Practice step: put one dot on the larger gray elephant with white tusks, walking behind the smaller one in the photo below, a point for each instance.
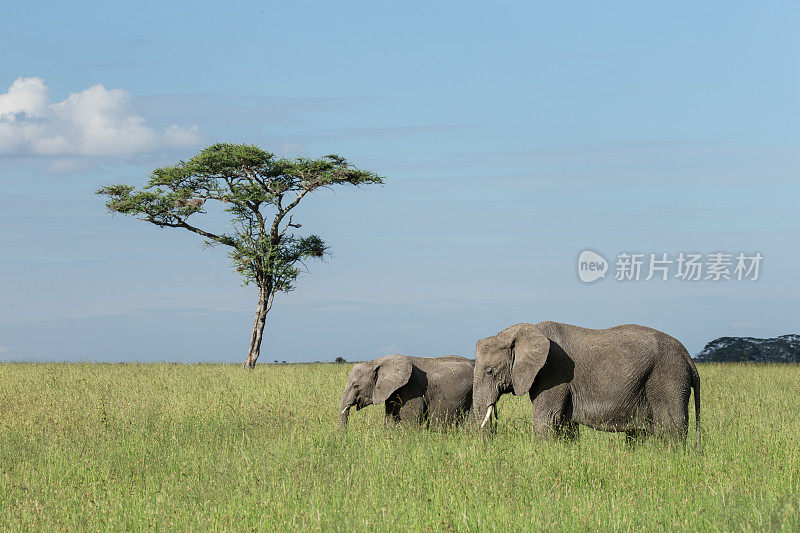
(627, 378)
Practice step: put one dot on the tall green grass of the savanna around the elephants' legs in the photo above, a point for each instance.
(135, 446)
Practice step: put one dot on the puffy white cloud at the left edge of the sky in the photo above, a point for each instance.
(93, 122)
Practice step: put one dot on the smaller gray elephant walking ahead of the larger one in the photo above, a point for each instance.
(418, 389)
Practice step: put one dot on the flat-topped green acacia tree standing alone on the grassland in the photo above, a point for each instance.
(257, 190)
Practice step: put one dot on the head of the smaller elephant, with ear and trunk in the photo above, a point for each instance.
(373, 382)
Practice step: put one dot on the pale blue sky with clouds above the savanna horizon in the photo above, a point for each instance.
(512, 135)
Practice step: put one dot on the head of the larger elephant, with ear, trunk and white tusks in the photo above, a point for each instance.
(506, 362)
